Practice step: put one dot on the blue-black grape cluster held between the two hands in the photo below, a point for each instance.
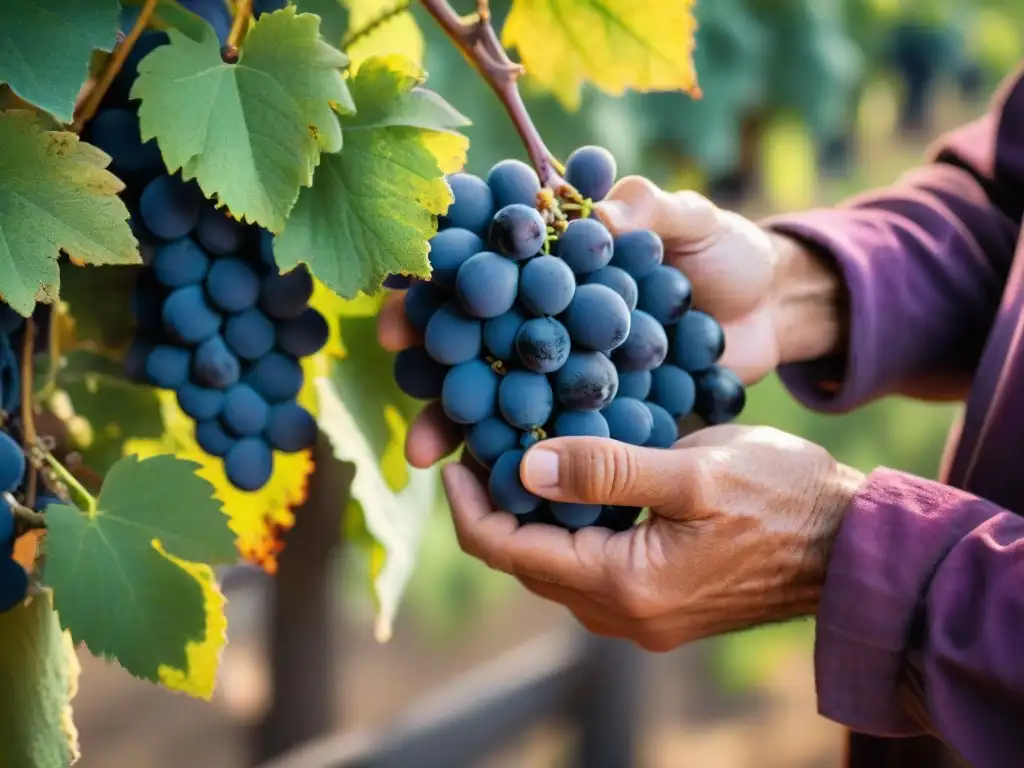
(536, 326)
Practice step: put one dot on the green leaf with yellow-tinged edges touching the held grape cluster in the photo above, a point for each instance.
(373, 207)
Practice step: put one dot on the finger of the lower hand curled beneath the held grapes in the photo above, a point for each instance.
(541, 553)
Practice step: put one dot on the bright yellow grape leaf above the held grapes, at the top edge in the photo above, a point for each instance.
(646, 46)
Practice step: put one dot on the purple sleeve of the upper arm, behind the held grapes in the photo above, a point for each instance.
(925, 263)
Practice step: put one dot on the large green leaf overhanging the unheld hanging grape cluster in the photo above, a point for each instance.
(250, 134)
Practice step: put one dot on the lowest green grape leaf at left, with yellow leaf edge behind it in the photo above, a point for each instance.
(150, 516)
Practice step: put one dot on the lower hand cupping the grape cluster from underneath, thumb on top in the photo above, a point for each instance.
(741, 529)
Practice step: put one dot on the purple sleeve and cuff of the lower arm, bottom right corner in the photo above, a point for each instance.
(922, 619)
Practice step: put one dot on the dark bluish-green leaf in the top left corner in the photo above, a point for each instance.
(46, 48)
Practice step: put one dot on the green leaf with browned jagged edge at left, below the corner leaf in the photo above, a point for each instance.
(56, 195)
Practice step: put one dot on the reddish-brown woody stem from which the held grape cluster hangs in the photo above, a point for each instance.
(475, 36)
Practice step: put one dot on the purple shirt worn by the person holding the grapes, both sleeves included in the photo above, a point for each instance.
(921, 628)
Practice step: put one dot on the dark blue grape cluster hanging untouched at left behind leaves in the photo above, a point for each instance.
(218, 322)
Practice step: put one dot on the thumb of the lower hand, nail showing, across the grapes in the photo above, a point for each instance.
(599, 471)
